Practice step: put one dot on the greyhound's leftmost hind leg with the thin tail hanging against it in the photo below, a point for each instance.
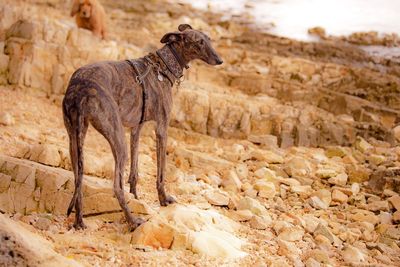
(76, 126)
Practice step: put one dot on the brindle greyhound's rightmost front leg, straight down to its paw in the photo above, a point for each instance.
(161, 136)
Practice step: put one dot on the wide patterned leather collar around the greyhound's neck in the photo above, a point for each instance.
(172, 60)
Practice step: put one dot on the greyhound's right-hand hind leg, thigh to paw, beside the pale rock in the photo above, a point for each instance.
(106, 120)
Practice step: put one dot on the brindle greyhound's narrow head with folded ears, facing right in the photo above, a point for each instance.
(193, 44)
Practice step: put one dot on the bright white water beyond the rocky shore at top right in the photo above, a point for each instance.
(292, 18)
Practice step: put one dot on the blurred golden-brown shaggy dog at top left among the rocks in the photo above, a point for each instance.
(90, 15)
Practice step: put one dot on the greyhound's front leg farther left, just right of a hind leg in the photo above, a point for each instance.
(133, 176)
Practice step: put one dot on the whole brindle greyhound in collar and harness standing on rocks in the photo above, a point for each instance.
(111, 95)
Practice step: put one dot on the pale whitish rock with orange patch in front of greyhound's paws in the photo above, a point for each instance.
(204, 232)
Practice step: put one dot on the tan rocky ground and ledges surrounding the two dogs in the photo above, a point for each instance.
(287, 154)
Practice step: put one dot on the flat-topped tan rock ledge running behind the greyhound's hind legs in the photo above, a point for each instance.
(27, 187)
